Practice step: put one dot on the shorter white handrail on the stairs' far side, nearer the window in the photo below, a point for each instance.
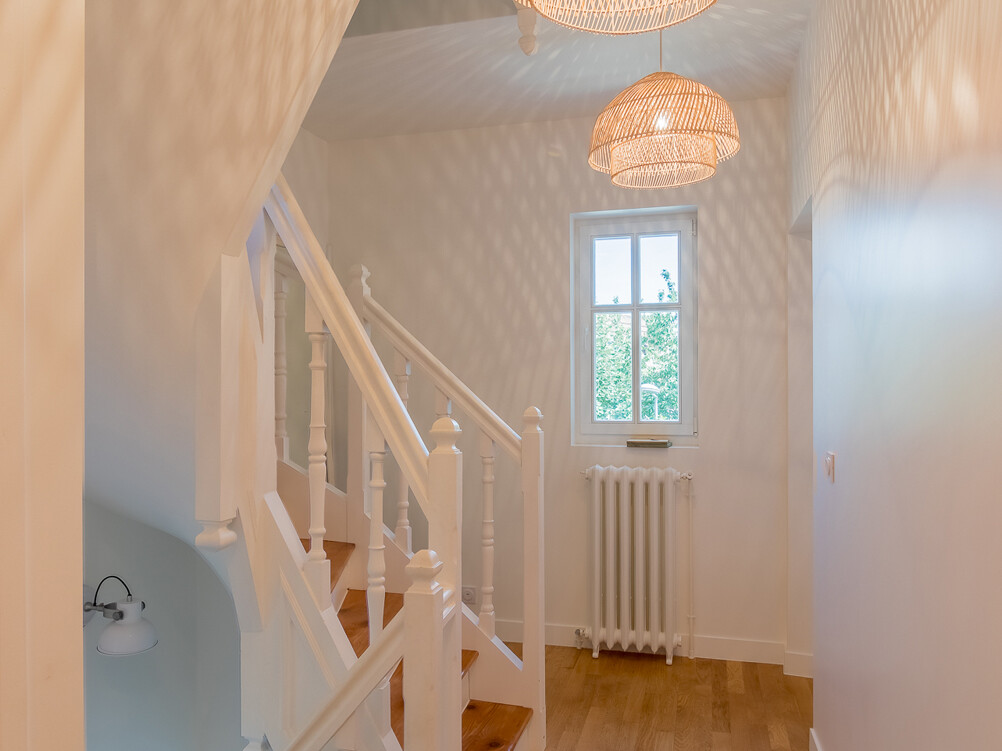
(445, 380)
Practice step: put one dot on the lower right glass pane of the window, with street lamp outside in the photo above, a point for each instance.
(660, 367)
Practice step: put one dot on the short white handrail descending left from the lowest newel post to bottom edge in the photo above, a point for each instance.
(365, 677)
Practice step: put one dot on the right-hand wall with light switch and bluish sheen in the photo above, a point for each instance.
(895, 132)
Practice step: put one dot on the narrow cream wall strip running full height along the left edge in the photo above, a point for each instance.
(42, 372)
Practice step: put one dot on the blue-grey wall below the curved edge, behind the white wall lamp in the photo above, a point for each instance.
(185, 693)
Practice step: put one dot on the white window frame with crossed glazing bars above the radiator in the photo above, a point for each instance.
(586, 229)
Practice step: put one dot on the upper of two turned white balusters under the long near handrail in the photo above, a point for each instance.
(318, 567)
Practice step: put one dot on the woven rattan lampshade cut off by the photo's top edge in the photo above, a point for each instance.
(618, 17)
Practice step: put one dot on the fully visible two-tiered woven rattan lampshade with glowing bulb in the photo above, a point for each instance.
(664, 132)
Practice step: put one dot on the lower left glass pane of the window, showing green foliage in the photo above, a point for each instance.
(614, 348)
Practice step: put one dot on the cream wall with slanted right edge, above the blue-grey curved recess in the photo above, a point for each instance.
(192, 109)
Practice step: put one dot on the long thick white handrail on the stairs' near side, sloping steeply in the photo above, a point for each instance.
(363, 362)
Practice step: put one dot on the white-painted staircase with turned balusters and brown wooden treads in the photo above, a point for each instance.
(351, 639)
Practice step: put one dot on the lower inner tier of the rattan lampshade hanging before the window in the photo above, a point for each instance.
(663, 161)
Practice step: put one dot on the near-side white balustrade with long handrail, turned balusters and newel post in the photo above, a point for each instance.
(435, 480)
